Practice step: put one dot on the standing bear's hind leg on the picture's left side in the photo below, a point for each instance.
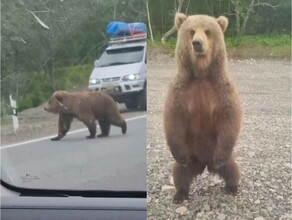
(183, 176)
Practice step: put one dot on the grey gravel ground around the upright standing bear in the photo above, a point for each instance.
(263, 150)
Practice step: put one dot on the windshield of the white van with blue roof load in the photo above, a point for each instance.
(121, 56)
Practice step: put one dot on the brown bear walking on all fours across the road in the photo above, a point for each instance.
(86, 107)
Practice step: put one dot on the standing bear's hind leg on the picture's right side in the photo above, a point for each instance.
(230, 172)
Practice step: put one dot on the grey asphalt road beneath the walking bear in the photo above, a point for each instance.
(117, 162)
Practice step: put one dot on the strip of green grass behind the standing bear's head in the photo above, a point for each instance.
(256, 47)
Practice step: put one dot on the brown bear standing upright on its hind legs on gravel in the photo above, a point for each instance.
(202, 115)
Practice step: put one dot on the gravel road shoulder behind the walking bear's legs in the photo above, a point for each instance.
(36, 123)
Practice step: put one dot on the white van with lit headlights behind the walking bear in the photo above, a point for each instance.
(121, 71)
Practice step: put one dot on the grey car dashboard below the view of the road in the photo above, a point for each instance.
(28, 204)
